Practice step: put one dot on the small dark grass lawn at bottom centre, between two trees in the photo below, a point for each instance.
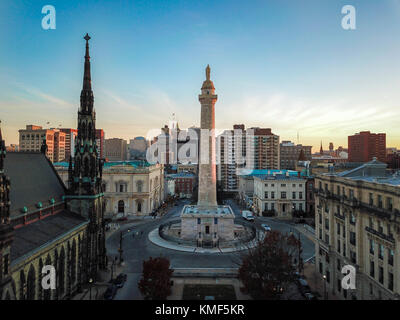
(200, 291)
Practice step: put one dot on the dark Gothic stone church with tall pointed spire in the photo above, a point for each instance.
(43, 222)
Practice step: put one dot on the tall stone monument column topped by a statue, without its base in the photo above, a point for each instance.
(207, 168)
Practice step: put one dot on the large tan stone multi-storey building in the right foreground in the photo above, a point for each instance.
(357, 220)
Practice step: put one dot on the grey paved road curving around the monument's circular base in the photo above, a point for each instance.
(137, 248)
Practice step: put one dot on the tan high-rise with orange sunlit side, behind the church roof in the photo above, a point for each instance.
(31, 138)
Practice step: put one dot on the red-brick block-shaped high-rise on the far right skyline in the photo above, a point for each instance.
(364, 146)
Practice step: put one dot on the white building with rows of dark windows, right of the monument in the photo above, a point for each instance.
(279, 193)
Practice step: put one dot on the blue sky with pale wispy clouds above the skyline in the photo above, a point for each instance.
(281, 64)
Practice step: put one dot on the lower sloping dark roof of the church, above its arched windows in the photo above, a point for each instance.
(41, 233)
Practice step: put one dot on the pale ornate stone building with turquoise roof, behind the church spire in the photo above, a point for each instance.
(131, 187)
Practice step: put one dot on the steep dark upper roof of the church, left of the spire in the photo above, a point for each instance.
(33, 180)
